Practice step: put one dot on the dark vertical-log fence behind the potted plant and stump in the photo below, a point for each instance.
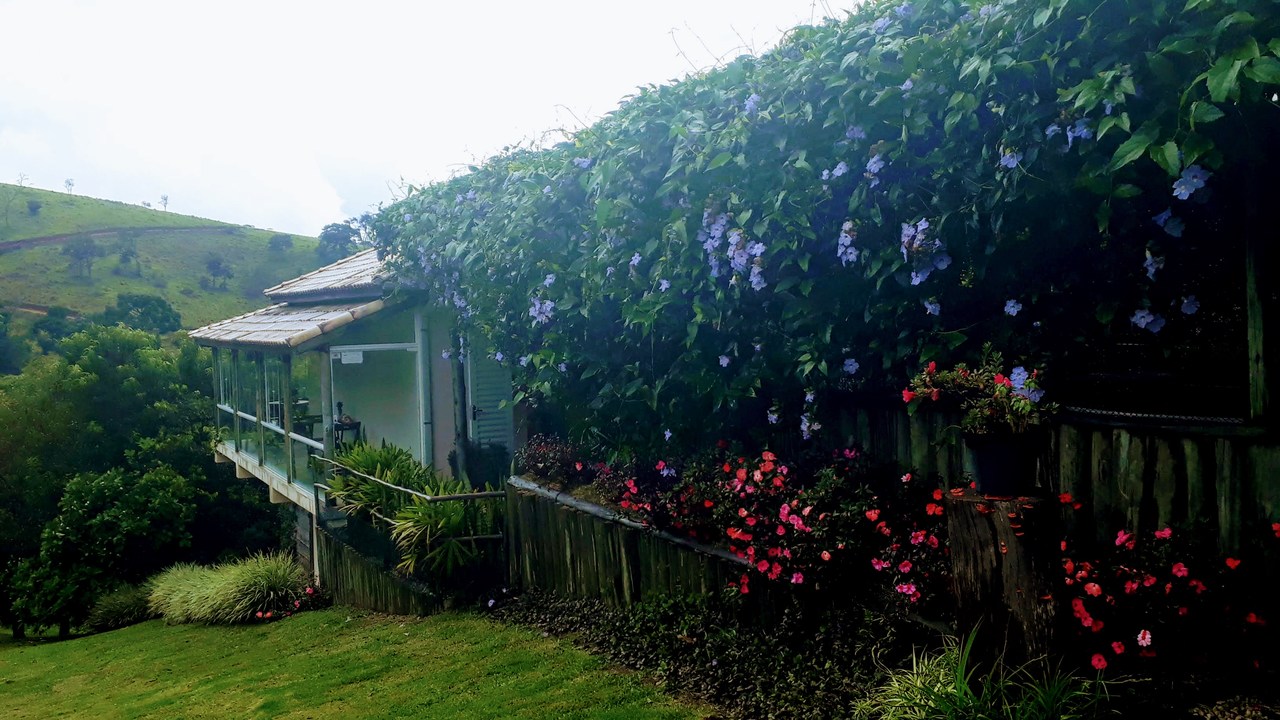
(1135, 475)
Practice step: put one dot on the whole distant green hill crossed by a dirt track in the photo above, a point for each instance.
(81, 253)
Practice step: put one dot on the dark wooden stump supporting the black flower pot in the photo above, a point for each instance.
(1005, 563)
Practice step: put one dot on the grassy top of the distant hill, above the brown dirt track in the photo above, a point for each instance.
(62, 213)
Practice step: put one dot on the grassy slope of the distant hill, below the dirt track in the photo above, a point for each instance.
(172, 267)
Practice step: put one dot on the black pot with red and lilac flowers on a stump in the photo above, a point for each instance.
(1000, 414)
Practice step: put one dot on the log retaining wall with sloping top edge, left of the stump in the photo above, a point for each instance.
(577, 549)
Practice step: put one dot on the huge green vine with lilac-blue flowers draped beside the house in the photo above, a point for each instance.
(880, 192)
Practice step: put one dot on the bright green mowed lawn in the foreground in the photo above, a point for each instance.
(328, 664)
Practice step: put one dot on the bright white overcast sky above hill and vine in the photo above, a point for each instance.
(292, 115)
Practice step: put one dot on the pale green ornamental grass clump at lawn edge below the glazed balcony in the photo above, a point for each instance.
(263, 587)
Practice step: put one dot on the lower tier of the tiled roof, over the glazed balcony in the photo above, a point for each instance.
(285, 326)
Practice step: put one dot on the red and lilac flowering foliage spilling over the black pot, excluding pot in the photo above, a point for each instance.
(990, 400)
